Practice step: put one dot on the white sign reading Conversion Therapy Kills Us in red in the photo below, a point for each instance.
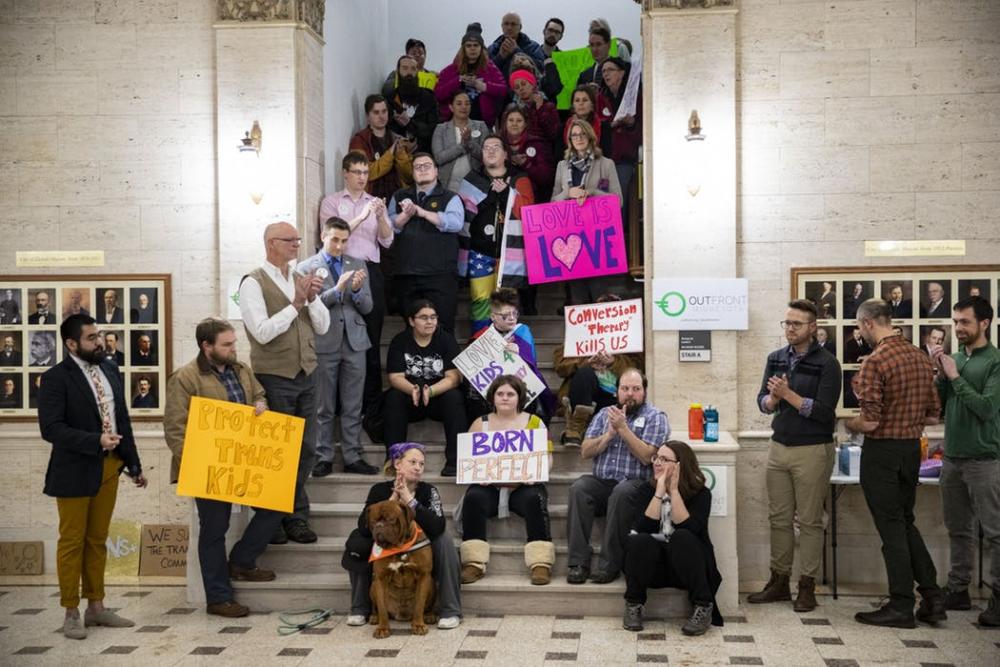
(615, 328)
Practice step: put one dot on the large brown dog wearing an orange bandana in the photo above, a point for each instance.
(402, 585)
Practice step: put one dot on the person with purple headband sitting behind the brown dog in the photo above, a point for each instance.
(406, 468)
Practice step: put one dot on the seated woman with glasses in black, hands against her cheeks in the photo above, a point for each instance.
(669, 545)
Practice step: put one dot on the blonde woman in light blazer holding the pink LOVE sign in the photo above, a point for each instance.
(584, 172)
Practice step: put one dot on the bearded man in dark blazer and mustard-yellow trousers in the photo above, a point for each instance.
(82, 411)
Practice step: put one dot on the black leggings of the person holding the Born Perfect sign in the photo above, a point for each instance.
(528, 501)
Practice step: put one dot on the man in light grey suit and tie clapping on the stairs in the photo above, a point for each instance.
(341, 350)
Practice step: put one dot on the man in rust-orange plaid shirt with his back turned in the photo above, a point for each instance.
(898, 399)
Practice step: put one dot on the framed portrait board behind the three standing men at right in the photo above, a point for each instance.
(921, 299)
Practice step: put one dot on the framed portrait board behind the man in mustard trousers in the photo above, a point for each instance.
(133, 317)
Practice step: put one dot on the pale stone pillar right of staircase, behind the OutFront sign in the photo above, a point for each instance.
(690, 64)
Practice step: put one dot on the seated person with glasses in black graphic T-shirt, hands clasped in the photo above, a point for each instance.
(423, 381)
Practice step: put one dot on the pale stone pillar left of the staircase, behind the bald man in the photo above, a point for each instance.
(269, 69)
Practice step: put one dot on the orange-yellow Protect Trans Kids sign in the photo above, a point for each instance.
(233, 456)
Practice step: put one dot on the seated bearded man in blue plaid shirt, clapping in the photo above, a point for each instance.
(622, 439)
